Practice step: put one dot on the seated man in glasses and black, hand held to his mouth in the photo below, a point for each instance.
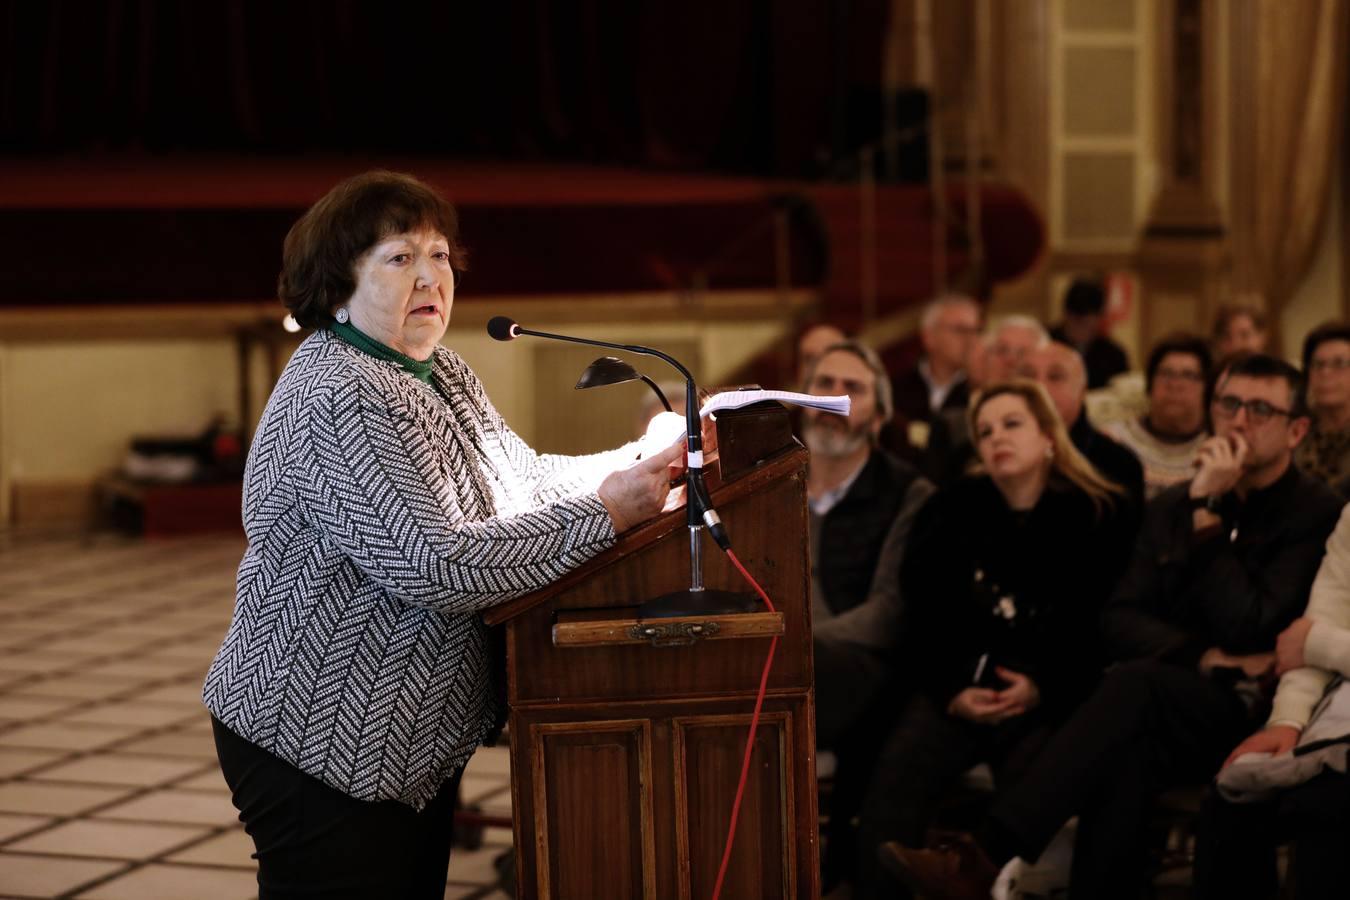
(1222, 566)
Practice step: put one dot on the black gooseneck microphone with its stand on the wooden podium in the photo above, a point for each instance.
(699, 504)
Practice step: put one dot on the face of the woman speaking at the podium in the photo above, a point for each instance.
(404, 292)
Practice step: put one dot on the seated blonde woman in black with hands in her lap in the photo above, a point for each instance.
(1004, 582)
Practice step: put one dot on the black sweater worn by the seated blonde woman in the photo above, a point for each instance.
(1025, 589)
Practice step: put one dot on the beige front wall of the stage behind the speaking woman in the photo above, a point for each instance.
(70, 410)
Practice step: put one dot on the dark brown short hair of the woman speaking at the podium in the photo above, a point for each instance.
(319, 258)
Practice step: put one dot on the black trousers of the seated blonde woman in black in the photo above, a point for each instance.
(921, 762)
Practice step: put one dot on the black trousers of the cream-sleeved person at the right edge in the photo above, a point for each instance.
(1236, 847)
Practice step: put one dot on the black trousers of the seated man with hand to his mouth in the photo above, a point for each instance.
(1148, 727)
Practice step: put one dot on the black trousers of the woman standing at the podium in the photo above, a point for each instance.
(314, 841)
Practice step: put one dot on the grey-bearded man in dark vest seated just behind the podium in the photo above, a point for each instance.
(862, 503)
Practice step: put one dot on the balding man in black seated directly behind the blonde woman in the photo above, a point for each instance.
(1059, 370)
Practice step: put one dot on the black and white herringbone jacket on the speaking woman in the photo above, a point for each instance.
(381, 519)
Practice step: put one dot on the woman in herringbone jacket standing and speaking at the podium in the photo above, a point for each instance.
(387, 504)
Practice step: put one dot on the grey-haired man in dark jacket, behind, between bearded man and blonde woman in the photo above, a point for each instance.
(938, 381)
